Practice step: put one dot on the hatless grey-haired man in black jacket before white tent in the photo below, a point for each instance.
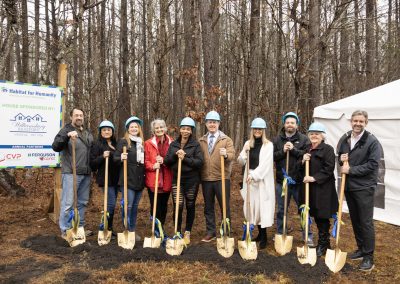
(362, 151)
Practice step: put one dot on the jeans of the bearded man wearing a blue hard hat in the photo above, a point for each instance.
(293, 191)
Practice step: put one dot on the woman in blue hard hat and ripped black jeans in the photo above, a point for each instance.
(187, 149)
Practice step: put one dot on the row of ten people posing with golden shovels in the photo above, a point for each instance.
(358, 152)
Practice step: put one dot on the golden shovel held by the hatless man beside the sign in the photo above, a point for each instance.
(75, 235)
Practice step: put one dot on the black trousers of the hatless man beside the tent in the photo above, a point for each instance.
(361, 209)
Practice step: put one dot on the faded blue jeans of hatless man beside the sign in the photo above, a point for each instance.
(67, 199)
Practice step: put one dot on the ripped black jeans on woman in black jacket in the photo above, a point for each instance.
(188, 194)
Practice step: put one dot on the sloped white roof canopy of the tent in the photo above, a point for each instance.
(382, 102)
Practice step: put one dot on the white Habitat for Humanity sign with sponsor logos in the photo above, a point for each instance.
(30, 118)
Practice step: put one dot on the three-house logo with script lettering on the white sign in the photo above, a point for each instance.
(28, 123)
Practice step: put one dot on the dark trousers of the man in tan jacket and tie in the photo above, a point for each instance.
(212, 189)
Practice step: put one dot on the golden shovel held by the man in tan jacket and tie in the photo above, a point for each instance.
(225, 244)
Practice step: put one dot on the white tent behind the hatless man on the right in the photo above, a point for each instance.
(383, 107)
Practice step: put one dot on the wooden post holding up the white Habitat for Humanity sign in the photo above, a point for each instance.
(54, 206)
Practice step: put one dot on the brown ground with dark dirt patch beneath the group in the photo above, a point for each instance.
(32, 250)
